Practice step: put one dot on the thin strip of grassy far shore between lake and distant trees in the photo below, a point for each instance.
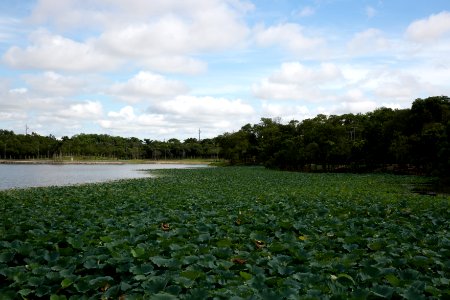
(105, 162)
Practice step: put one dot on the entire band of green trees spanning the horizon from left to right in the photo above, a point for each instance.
(413, 140)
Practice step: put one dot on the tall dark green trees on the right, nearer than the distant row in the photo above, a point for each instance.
(415, 140)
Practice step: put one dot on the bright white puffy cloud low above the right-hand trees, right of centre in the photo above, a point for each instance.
(295, 81)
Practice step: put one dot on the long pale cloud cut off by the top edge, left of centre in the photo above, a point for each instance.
(69, 14)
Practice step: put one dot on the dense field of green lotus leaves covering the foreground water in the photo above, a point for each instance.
(220, 233)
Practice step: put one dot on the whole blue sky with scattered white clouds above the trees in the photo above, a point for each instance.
(164, 69)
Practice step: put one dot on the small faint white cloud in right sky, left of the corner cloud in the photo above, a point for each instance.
(369, 41)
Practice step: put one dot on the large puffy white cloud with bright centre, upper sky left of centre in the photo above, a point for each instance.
(172, 35)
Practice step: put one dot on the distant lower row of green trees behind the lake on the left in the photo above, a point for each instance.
(35, 146)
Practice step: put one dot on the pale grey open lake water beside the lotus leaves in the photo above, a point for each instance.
(34, 175)
